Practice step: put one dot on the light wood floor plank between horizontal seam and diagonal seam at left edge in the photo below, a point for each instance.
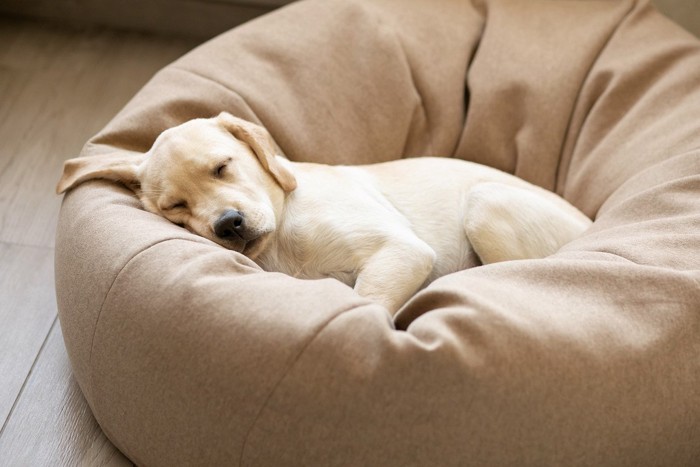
(27, 310)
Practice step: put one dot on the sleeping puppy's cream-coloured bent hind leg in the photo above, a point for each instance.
(503, 222)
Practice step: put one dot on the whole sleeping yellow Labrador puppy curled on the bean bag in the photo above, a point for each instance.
(386, 229)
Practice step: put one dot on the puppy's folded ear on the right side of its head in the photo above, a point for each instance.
(261, 143)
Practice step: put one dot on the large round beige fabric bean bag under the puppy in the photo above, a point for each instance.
(189, 354)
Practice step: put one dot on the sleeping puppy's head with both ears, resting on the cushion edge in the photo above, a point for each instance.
(218, 177)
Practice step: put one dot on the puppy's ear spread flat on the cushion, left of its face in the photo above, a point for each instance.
(120, 166)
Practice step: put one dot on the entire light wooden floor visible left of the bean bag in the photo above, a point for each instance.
(57, 88)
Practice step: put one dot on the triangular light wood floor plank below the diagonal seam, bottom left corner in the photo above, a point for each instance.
(52, 424)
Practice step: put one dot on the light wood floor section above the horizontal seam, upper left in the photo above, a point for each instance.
(59, 87)
